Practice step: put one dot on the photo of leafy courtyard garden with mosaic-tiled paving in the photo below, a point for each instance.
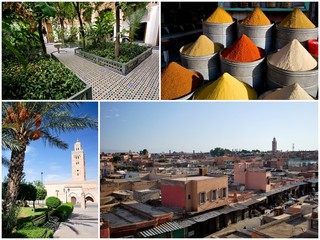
(80, 50)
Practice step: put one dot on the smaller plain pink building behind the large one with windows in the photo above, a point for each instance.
(252, 177)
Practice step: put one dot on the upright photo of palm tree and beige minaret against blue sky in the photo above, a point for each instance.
(50, 185)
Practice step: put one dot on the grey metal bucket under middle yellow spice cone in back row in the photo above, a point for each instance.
(262, 36)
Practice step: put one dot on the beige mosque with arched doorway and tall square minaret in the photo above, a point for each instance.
(78, 190)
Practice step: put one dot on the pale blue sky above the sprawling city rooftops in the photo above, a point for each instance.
(201, 126)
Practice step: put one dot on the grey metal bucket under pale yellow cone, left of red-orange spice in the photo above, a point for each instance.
(208, 66)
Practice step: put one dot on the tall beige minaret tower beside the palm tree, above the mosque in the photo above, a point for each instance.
(78, 163)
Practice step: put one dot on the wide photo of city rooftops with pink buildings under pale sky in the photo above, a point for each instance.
(209, 169)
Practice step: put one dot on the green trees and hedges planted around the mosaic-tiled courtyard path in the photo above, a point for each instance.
(30, 73)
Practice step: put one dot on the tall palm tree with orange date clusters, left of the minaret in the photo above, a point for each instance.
(23, 122)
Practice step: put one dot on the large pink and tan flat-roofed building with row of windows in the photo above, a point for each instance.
(195, 194)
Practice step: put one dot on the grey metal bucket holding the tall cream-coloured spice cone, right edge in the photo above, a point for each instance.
(277, 77)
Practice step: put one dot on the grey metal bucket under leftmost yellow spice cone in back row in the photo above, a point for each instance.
(224, 33)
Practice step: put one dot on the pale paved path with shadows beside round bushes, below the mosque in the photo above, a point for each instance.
(83, 223)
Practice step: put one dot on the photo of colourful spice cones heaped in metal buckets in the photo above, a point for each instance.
(239, 50)
